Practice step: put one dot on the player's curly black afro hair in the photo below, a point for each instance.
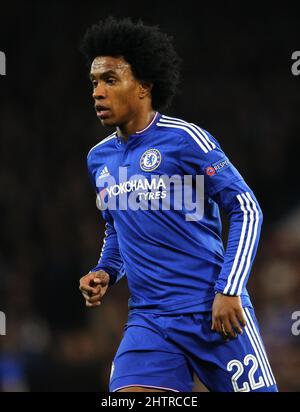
(149, 52)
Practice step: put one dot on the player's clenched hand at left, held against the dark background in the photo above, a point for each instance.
(93, 286)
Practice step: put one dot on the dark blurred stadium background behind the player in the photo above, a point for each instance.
(236, 82)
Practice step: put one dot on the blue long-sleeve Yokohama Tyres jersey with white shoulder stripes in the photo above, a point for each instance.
(173, 264)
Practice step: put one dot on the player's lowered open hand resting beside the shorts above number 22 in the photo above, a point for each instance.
(228, 316)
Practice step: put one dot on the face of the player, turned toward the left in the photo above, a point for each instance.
(115, 90)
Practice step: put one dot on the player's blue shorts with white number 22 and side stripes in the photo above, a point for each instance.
(163, 351)
